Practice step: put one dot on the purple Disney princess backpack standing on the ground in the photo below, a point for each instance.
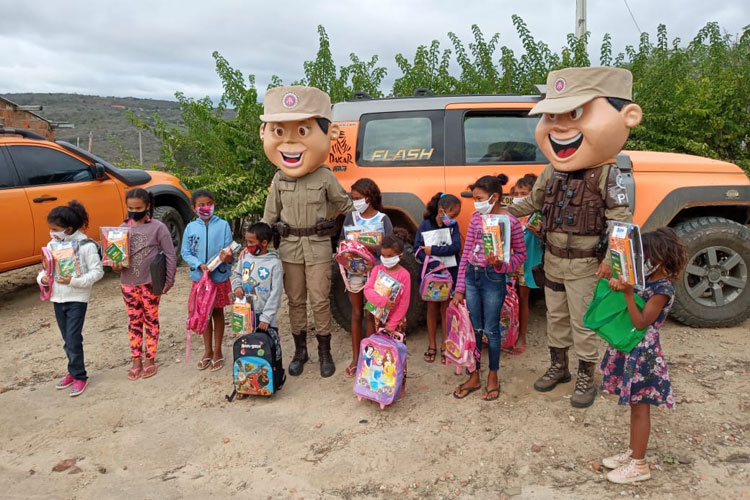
(381, 368)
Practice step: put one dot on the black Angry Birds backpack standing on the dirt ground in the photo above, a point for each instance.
(258, 368)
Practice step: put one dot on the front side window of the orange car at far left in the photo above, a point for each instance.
(38, 165)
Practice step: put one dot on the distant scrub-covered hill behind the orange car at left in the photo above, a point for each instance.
(108, 119)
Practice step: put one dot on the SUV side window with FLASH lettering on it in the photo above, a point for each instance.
(389, 139)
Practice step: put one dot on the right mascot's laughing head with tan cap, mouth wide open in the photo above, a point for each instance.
(587, 114)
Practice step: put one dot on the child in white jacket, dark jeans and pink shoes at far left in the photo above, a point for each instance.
(70, 295)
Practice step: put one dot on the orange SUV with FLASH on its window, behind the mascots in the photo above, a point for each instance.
(414, 147)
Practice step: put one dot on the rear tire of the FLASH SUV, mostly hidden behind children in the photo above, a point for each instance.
(341, 308)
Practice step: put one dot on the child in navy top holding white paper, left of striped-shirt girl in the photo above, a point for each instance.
(441, 213)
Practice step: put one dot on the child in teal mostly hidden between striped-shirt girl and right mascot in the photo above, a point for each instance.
(534, 253)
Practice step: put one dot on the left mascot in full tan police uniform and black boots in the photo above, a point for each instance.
(297, 134)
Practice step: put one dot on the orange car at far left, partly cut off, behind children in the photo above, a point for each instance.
(37, 174)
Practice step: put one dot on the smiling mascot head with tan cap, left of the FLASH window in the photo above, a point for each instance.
(296, 129)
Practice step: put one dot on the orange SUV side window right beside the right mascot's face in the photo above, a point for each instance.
(501, 138)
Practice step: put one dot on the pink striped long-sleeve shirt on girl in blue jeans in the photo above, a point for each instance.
(474, 249)
